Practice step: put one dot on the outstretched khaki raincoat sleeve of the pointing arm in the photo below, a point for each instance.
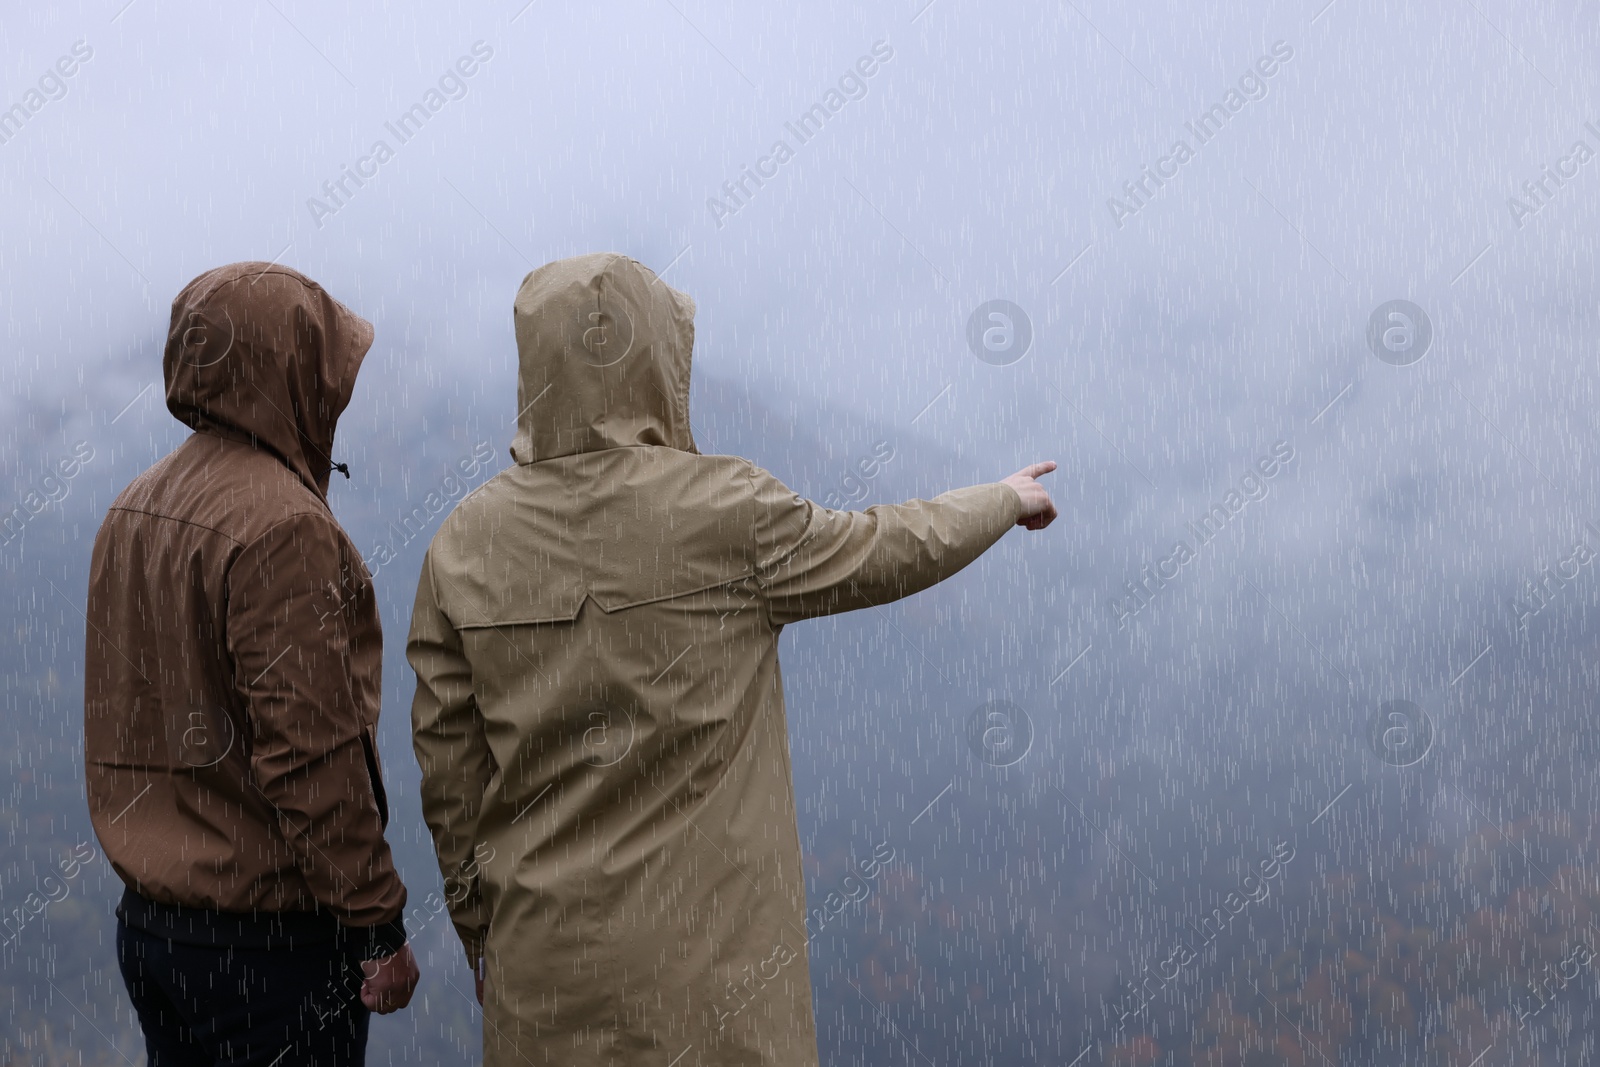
(814, 561)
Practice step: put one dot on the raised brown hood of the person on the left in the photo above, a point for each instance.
(262, 354)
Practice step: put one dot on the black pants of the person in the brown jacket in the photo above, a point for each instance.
(207, 1005)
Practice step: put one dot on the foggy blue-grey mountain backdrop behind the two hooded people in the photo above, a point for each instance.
(1302, 297)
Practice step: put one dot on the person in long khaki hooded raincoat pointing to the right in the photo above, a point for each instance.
(599, 711)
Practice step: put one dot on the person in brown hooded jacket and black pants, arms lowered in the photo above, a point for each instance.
(231, 700)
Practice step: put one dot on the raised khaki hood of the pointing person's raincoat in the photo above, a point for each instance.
(604, 359)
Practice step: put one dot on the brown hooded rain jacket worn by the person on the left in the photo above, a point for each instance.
(234, 649)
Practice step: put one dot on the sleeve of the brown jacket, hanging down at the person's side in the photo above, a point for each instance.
(289, 637)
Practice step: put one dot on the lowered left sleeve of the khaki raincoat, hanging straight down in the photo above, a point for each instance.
(454, 753)
